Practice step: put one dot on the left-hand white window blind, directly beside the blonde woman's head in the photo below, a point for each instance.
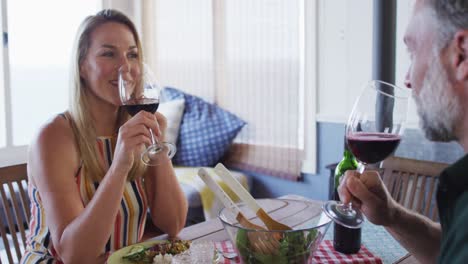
(184, 46)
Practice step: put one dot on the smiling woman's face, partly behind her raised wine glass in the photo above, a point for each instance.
(112, 46)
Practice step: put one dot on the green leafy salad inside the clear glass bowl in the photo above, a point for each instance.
(295, 247)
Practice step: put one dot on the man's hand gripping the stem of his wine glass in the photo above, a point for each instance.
(367, 192)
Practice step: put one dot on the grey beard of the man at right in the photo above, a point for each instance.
(438, 107)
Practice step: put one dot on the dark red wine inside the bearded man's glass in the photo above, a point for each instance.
(372, 147)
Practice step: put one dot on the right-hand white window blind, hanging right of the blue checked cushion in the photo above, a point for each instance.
(264, 86)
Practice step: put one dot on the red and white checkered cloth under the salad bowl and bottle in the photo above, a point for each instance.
(324, 254)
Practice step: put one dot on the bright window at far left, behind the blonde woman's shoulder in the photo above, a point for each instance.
(38, 37)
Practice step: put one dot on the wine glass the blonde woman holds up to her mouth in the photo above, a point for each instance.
(139, 91)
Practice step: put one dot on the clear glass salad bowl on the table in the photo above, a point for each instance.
(306, 218)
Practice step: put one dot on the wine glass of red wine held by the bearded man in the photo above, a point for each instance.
(373, 132)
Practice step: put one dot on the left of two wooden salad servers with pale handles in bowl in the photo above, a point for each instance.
(262, 241)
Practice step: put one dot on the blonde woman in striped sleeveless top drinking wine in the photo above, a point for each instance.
(89, 190)
